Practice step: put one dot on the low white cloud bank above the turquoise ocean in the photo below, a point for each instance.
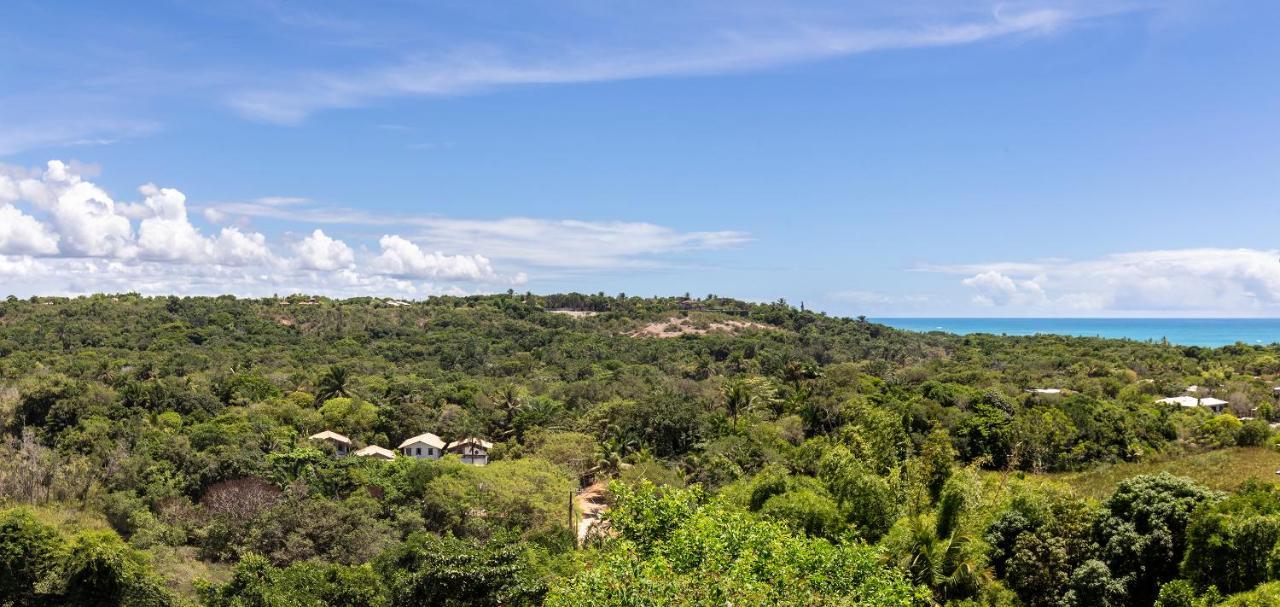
(1212, 281)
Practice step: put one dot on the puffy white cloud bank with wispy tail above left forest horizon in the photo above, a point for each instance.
(66, 230)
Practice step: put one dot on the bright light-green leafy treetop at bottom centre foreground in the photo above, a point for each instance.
(674, 551)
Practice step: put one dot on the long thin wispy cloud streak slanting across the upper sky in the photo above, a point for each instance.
(490, 65)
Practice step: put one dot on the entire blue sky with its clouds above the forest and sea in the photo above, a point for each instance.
(917, 158)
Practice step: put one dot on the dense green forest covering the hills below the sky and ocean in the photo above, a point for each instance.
(664, 451)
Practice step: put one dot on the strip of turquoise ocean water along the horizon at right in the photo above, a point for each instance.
(1183, 332)
